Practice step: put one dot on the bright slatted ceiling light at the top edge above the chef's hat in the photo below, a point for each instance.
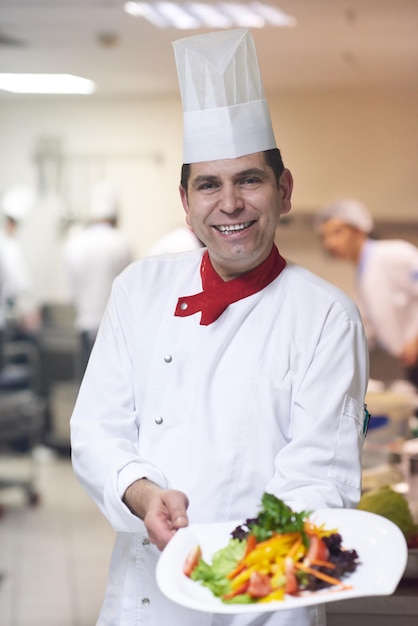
(194, 15)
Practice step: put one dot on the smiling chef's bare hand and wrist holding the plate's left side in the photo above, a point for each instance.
(163, 510)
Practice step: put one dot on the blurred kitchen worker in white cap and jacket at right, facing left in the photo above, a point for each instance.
(387, 279)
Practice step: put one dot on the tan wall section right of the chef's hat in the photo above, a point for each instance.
(363, 144)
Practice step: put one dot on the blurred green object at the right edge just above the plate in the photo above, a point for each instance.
(394, 506)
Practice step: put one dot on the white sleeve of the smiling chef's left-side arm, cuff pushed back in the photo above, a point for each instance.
(104, 430)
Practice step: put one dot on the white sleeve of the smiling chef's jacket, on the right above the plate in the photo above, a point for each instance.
(320, 467)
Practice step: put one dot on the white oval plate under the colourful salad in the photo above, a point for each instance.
(379, 543)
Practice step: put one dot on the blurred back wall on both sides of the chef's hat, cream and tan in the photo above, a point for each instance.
(363, 145)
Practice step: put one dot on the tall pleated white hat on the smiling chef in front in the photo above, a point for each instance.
(226, 113)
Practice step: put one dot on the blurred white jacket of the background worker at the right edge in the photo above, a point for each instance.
(388, 292)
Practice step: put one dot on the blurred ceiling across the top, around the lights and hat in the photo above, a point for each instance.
(343, 44)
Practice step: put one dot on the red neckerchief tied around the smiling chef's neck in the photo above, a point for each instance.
(217, 294)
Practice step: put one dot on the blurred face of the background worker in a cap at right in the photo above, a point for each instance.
(341, 240)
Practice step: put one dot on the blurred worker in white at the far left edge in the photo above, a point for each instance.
(19, 300)
